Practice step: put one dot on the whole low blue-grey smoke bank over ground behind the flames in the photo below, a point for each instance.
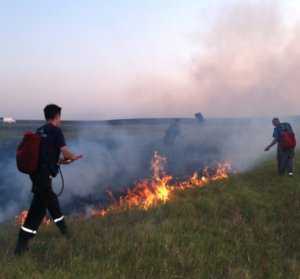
(116, 156)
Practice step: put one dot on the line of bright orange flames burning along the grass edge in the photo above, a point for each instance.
(159, 189)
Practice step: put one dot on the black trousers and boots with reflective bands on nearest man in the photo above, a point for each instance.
(43, 199)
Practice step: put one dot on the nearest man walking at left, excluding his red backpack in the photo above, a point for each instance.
(52, 145)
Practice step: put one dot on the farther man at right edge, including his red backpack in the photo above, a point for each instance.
(284, 137)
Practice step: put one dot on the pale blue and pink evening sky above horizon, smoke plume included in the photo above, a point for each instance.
(152, 58)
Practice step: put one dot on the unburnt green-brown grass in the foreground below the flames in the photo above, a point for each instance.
(245, 227)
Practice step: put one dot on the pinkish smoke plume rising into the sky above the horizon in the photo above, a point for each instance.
(247, 65)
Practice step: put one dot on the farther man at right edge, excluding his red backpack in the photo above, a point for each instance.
(285, 157)
